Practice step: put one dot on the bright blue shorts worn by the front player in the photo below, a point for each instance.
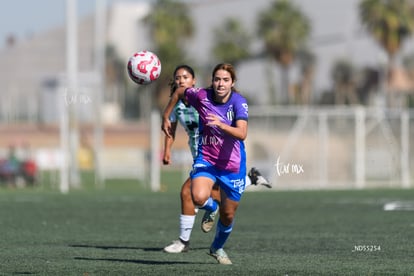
(233, 184)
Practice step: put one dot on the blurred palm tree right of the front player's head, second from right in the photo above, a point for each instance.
(284, 29)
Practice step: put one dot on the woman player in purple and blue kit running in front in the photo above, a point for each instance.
(221, 156)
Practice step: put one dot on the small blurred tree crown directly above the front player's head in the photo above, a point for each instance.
(232, 42)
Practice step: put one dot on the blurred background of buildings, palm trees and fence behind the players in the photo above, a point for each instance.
(330, 86)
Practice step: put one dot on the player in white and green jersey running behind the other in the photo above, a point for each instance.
(188, 117)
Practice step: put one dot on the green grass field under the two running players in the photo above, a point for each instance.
(122, 229)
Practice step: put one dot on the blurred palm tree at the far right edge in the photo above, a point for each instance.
(390, 22)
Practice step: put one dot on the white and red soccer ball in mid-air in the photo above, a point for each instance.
(144, 67)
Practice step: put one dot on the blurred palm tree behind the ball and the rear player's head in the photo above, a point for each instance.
(170, 25)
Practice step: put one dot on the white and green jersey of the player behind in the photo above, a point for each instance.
(187, 116)
